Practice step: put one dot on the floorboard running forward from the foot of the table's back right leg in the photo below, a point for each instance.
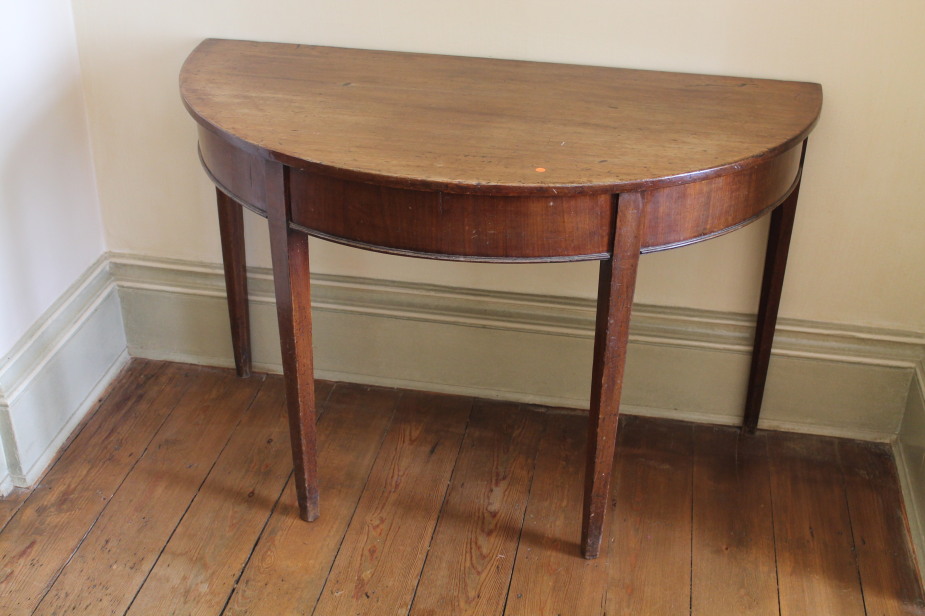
(733, 560)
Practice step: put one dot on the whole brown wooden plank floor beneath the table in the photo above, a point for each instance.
(175, 498)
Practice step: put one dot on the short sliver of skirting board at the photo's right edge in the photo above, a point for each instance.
(909, 452)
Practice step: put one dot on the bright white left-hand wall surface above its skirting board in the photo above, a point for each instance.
(50, 227)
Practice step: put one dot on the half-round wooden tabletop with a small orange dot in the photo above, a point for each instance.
(475, 125)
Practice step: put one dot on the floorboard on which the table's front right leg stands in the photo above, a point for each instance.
(550, 576)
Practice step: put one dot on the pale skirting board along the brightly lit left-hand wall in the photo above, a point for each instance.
(55, 373)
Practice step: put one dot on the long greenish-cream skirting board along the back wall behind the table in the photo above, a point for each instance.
(686, 364)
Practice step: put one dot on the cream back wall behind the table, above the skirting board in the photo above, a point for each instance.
(858, 256)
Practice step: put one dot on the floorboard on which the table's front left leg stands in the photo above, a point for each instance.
(290, 564)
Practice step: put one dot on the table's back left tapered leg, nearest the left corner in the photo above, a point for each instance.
(231, 230)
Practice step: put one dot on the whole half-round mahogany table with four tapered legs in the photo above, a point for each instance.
(474, 159)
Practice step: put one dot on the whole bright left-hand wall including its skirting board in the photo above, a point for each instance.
(61, 330)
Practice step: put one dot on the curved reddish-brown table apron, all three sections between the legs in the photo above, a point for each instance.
(475, 227)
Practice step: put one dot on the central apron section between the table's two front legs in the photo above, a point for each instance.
(450, 226)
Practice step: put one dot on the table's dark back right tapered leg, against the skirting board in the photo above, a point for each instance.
(775, 262)
